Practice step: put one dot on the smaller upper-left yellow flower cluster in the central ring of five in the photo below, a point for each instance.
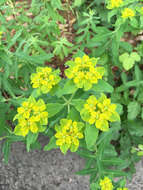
(44, 79)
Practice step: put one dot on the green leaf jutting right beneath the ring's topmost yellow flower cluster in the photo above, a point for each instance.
(102, 86)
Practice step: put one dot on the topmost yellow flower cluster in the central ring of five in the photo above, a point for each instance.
(84, 72)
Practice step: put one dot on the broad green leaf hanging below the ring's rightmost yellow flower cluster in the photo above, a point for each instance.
(91, 135)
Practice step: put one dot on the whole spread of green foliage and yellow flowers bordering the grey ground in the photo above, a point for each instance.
(72, 71)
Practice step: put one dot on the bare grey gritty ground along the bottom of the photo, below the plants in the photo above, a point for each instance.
(39, 170)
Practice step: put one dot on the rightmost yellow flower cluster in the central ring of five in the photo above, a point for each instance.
(99, 112)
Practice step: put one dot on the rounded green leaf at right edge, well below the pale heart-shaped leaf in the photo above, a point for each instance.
(133, 110)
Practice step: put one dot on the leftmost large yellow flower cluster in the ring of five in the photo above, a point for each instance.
(31, 116)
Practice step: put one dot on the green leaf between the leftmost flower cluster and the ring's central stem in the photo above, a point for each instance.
(53, 109)
